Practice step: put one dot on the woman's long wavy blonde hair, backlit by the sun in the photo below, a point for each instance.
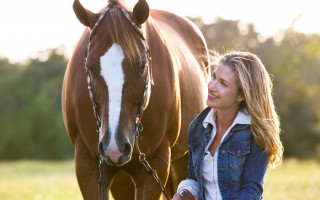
(256, 86)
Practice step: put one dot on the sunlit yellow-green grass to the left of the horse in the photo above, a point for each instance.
(38, 180)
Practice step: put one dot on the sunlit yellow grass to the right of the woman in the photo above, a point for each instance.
(294, 180)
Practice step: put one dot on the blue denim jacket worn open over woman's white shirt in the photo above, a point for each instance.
(242, 164)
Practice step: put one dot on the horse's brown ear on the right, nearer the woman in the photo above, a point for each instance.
(141, 12)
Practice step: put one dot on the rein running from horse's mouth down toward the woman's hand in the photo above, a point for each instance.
(144, 162)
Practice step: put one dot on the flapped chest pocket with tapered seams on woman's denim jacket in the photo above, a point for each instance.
(237, 154)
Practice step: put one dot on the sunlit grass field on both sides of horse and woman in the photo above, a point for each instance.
(39, 180)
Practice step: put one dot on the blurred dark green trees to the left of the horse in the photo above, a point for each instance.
(31, 119)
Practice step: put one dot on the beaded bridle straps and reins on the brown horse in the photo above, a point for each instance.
(138, 125)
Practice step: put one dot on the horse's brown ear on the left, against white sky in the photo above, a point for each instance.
(86, 17)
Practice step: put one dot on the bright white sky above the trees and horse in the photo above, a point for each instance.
(31, 26)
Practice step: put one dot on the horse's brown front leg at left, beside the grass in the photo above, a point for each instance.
(87, 170)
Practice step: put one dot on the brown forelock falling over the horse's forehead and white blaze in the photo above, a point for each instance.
(120, 31)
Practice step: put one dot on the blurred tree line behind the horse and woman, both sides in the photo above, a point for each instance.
(31, 123)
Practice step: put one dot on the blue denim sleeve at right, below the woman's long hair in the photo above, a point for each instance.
(254, 170)
